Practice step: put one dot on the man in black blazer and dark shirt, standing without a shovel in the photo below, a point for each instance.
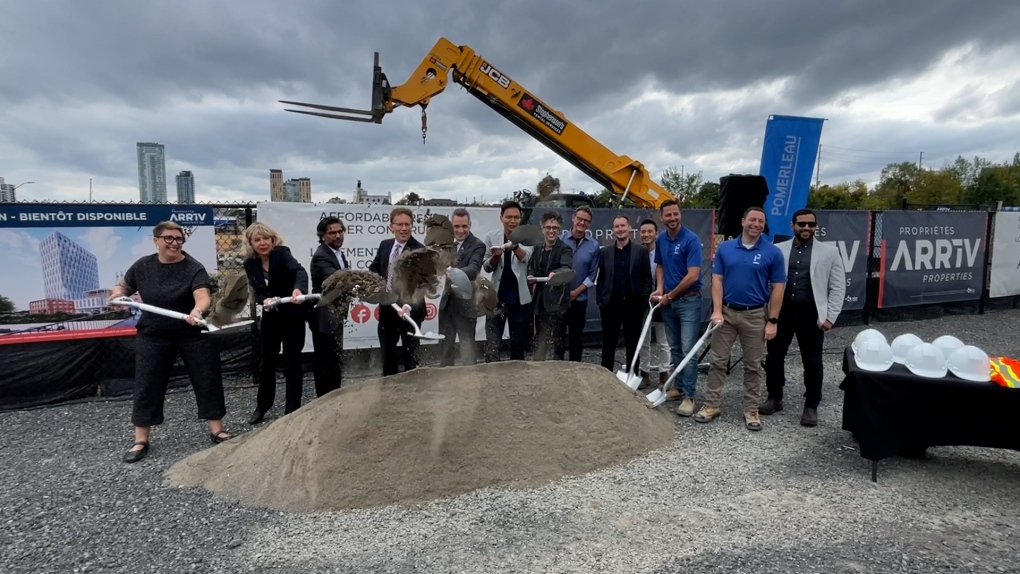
(624, 288)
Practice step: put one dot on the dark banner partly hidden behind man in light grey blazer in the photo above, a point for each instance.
(849, 231)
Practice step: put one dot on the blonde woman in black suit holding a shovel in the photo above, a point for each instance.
(275, 274)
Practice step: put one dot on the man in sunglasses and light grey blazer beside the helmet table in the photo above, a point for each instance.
(817, 286)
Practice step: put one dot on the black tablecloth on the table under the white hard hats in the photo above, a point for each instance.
(897, 412)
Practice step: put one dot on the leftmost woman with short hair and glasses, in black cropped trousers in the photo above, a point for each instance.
(173, 280)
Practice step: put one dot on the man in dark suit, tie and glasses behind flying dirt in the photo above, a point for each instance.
(392, 326)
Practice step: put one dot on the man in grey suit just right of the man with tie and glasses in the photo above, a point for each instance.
(457, 317)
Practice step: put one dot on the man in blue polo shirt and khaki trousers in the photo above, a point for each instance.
(749, 276)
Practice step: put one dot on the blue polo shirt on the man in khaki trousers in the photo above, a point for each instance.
(748, 273)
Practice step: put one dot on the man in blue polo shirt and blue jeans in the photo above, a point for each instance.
(678, 276)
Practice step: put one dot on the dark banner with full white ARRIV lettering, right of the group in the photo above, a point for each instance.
(931, 257)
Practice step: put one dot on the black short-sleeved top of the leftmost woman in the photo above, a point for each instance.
(170, 286)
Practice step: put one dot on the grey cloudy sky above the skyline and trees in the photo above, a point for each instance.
(670, 84)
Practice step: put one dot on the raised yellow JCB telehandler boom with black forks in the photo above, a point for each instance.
(622, 175)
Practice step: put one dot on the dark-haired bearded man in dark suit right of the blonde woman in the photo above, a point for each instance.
(328, 334)
